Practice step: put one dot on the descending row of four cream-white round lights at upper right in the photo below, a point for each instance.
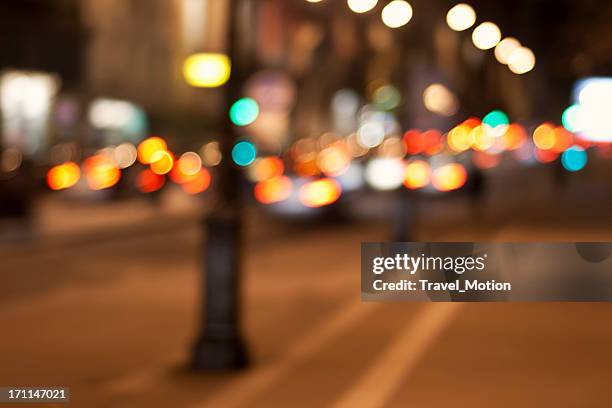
(508, 51)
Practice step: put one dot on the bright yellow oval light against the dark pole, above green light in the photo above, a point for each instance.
(207, 70)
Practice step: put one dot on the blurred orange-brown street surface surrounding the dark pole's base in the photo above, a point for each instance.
(117, 320)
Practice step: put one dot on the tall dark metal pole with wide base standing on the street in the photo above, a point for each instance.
(220, 344)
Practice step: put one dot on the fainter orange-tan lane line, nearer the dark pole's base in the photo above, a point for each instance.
(240, 391)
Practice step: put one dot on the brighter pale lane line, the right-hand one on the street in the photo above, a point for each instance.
(382, 379)
